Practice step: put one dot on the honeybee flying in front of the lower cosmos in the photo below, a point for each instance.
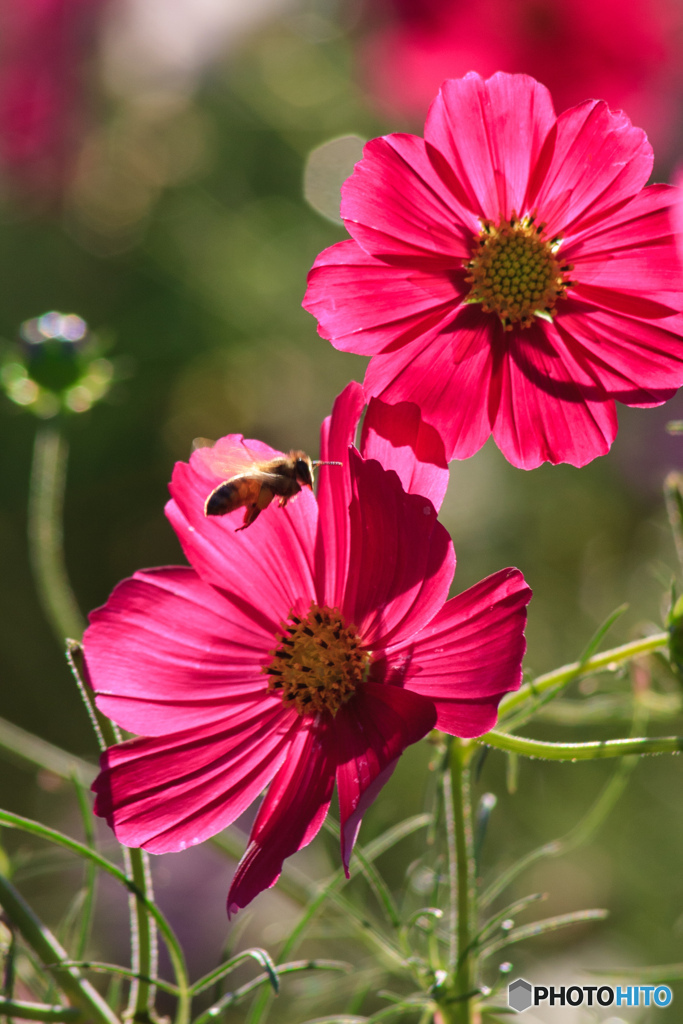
(254, 483)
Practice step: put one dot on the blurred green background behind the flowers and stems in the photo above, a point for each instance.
(183, 236)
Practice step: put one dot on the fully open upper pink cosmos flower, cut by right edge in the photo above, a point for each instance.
(509, 273)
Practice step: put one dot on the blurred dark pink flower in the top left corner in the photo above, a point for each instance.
(46, 45)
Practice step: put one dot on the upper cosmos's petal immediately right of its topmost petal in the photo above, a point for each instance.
(594, 161)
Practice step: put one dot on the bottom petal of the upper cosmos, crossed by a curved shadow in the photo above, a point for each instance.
(552, 409)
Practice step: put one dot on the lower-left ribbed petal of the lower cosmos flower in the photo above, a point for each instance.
(169, 793)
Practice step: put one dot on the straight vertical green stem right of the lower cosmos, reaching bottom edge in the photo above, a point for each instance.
(458, 1004)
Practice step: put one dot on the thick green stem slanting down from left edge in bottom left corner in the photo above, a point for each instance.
(53, 955)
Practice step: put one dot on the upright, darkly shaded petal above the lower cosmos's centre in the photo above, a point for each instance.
(402, 560)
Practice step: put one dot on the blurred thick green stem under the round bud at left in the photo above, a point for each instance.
(49, 475)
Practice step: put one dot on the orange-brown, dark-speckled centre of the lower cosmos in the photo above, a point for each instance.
(319, 662)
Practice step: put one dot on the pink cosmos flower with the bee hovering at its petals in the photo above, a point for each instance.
(314, 647)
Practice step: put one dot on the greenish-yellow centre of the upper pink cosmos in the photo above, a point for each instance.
(516, 274)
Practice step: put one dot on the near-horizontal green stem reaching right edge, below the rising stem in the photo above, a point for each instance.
(582, 752)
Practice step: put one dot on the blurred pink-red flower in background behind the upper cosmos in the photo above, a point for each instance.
(627, 54)
